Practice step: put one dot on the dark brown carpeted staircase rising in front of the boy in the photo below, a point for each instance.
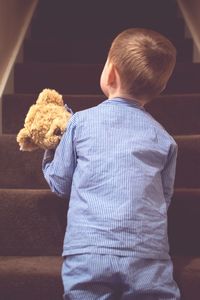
(66, 50)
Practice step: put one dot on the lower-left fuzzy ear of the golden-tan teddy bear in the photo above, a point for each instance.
(25, 142)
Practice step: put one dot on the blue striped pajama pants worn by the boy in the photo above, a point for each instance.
(109, 277)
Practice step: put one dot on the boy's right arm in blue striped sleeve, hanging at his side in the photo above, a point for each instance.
(168, 174)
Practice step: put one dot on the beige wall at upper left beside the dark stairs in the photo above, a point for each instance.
(15, 17)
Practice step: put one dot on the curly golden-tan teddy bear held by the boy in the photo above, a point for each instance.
(45, 122)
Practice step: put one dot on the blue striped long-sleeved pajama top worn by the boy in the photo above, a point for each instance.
(117, 166)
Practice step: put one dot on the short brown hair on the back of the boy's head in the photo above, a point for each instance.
(144, 60)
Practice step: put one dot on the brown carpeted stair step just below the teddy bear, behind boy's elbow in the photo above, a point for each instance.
(23, 169)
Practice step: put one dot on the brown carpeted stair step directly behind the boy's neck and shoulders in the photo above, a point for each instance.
(179, 114)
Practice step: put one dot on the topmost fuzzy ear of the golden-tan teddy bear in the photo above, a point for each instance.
(50, 96)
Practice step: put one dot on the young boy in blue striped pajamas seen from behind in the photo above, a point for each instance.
(117, 165)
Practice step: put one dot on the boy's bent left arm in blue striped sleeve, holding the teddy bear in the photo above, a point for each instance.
(58, 165)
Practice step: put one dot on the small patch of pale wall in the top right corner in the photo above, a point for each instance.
(190, 10)
